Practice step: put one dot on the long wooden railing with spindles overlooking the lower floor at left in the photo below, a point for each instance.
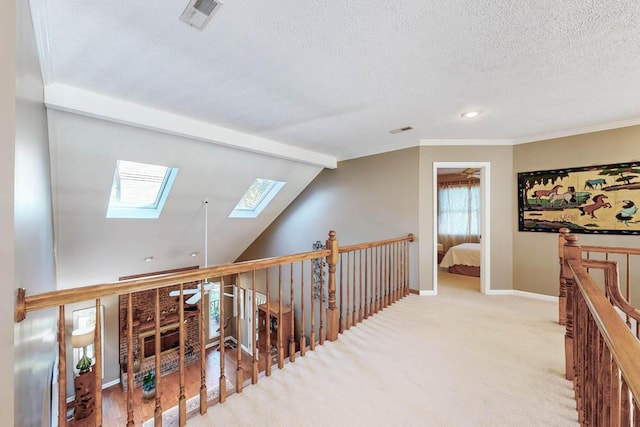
(371, 276)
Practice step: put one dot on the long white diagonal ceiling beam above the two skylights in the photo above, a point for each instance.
(67, 98)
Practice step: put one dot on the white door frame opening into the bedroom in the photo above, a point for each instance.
(485, 215)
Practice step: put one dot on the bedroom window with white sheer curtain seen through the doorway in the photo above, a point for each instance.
(458, 213)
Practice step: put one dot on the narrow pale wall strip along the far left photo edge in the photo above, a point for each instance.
(7, 150)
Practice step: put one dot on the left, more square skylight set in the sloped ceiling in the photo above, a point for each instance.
(139, 190)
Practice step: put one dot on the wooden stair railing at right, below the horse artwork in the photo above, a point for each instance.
(602, 353)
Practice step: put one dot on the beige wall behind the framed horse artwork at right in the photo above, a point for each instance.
(535, 254)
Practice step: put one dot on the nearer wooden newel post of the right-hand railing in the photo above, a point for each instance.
(572, 252)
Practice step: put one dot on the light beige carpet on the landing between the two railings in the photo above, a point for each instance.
(458, 359)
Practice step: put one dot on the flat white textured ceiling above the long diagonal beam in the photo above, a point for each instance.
(335, 77)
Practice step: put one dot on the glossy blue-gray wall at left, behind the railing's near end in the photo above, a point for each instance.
(34, 338)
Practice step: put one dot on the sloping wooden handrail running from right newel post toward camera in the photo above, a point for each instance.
(624, 348)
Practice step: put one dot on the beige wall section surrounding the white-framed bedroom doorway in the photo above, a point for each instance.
(502, 202)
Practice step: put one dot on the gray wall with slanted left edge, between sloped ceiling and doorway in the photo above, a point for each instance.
(381, 188)
